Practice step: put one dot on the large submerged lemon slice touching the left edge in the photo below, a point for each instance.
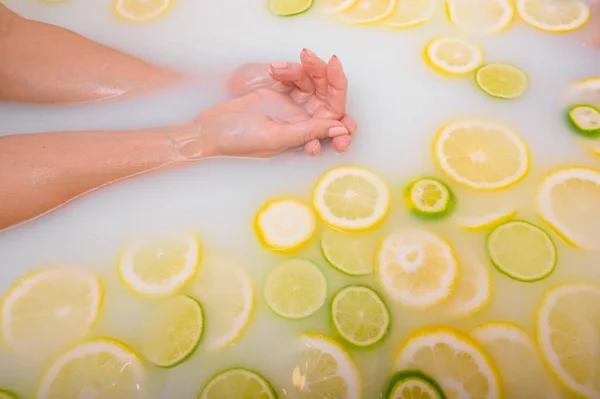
(61, 303)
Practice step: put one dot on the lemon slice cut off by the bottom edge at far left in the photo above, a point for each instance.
(101, 368)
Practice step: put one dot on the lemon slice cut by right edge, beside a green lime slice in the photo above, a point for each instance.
(569, 202)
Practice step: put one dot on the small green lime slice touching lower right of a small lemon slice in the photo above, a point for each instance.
(502, 80)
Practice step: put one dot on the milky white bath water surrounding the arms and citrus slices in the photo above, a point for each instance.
(399, 104)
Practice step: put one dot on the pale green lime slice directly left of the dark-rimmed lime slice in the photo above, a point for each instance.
(296, 289)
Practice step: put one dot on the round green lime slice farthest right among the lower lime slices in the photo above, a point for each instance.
(522, 251)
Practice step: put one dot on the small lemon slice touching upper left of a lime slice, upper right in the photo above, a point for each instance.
(453, 55)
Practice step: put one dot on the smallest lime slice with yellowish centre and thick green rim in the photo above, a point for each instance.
(428, 197)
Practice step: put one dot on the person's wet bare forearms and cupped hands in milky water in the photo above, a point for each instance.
(276, 107)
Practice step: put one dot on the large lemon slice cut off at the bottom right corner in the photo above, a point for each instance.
(568, 334)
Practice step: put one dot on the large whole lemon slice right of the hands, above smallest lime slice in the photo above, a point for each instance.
(481, 155)
